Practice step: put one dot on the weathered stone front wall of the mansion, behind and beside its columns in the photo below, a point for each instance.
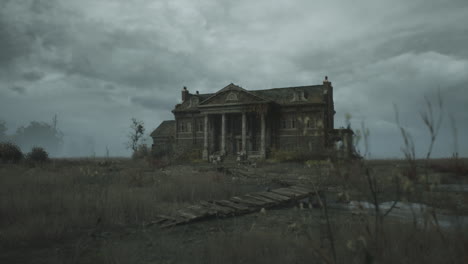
(305, 134)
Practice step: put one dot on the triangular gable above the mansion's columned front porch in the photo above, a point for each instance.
(232, 94)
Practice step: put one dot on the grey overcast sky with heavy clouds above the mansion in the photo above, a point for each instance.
(97, 63)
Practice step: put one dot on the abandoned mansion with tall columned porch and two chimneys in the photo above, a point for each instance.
(254, 123)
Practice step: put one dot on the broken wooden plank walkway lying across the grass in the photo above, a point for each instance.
(237, 205)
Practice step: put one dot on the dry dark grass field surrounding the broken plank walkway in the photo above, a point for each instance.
(99, 210)
